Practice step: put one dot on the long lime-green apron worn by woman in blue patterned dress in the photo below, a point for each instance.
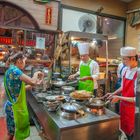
(20, 112)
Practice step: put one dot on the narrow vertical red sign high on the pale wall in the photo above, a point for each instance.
(48, 15)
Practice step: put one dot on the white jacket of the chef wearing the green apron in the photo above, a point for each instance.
(94, 71)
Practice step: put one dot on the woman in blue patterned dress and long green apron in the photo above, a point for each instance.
(16, 109)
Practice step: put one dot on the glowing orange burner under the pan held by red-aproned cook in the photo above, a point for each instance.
(96, 111)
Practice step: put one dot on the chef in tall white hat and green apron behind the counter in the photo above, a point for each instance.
(88, 70)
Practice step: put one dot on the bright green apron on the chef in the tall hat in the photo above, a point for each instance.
(87, 85)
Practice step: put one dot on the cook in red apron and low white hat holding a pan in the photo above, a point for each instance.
(127, 90)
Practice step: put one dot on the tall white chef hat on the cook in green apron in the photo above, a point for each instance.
(83, 48)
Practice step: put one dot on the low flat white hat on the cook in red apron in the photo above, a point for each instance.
(128, 51)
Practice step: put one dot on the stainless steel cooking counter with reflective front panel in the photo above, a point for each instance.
(87, 127)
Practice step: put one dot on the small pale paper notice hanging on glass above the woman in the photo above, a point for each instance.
(40, 42)
